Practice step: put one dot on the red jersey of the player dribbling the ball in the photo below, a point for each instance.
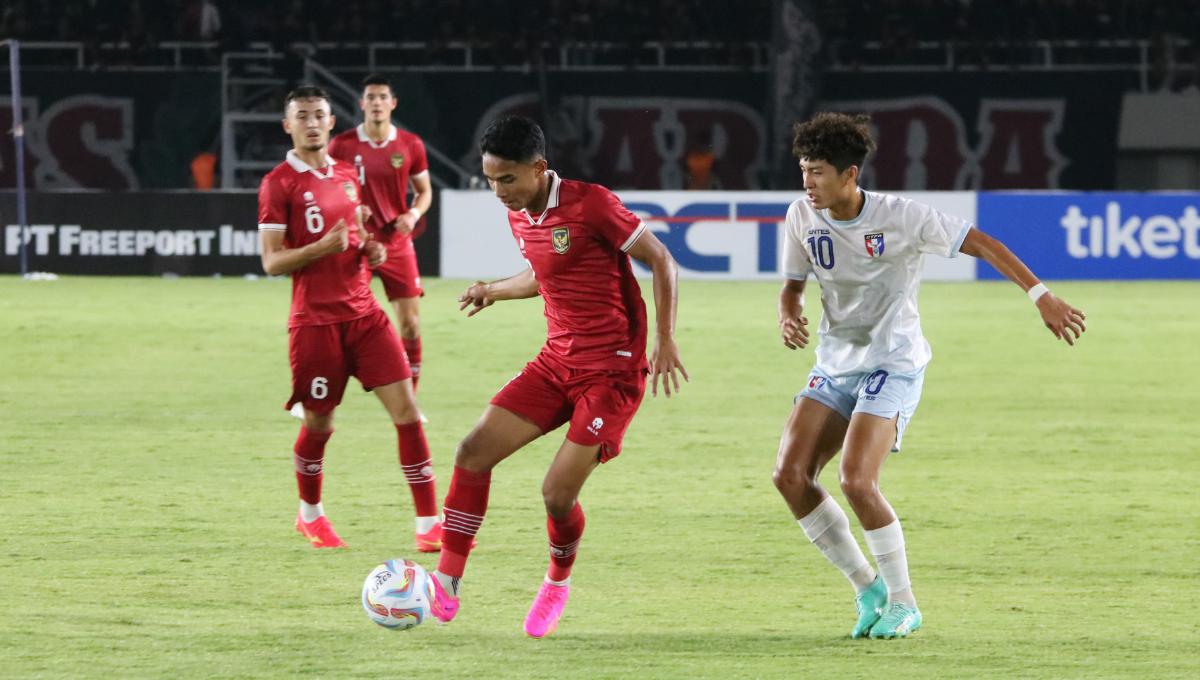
(595, 312)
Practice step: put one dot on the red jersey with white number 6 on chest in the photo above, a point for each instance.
(303, 203)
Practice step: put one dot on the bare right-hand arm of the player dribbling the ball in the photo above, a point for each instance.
(665, 356)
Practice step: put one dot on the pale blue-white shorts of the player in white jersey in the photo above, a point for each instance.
(877, 393)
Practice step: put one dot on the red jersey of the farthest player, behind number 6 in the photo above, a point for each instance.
(385, 171)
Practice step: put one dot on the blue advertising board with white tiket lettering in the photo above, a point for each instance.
(1096, 236)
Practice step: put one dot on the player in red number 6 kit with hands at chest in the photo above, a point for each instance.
(337, 329)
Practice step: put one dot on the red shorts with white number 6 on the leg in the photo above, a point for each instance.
(325, 358)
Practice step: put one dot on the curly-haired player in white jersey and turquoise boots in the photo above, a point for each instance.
(866, 250)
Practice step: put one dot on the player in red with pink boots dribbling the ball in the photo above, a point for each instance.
(578, 239)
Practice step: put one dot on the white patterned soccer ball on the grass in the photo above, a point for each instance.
(398, 594)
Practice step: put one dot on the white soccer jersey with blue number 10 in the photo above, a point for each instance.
(869, 270)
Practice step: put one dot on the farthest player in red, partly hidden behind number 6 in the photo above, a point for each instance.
(387, 161)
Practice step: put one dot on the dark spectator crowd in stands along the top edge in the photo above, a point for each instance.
(513, 29)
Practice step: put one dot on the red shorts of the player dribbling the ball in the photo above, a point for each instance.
(599, 405)
